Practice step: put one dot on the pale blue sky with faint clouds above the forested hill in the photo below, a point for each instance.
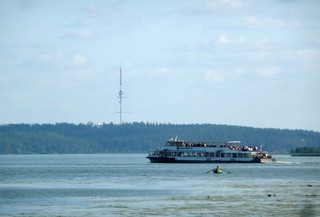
(235, 62)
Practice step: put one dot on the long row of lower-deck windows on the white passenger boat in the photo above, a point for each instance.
(201, 154)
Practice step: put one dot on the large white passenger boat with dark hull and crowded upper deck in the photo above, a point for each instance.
(180, 151)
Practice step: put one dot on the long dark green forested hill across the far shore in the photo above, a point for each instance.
(63, 138)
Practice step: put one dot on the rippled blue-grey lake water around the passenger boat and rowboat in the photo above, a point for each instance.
(128, 185)
